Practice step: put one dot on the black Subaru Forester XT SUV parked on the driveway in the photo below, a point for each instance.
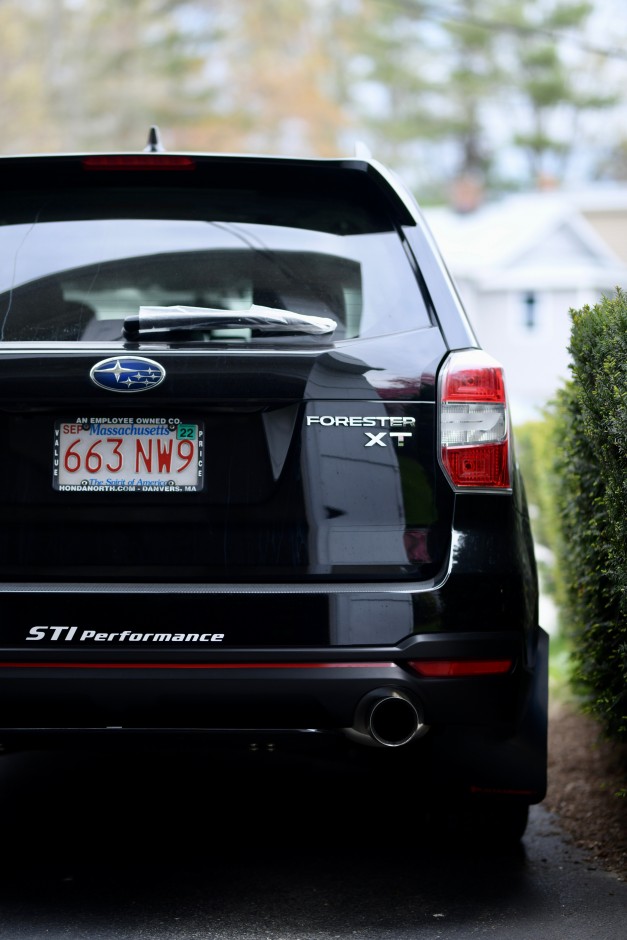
(258, 478)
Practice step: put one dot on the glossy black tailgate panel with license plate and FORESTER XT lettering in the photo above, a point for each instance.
(247, 468)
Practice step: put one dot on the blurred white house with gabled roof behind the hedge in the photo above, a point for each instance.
(521, 264)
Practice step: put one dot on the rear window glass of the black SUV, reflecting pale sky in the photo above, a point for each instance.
(75, 261)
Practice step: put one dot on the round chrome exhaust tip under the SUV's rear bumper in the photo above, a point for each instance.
(388, 718)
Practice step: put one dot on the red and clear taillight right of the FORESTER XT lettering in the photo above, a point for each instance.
(474, 424)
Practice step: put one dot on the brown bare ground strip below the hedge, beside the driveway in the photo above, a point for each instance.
(585, 773)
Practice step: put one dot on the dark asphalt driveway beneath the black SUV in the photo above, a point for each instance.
(163, 846)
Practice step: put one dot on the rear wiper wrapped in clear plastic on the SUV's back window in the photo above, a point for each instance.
(155, 320)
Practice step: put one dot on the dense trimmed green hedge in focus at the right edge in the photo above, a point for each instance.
(589, 486)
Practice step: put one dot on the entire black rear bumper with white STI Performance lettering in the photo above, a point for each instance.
(90, 662)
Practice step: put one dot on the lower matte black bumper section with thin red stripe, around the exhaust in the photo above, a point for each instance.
(487, 730)
